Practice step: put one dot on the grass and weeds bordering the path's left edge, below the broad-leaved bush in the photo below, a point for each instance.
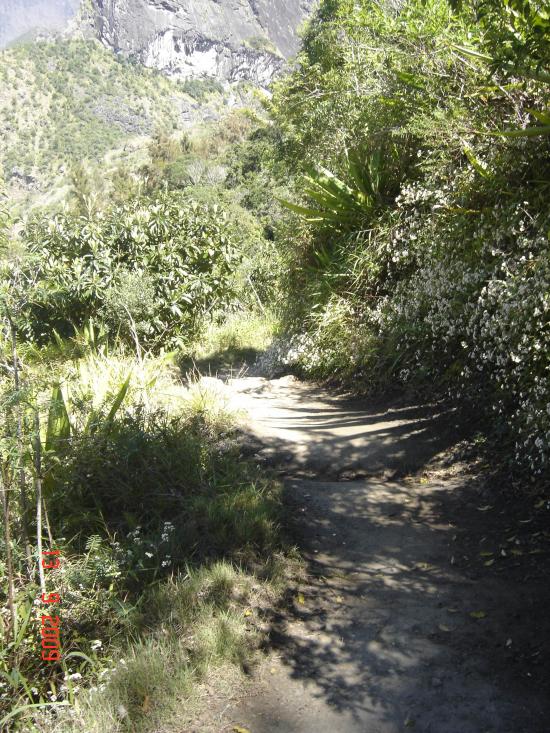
(167, 541)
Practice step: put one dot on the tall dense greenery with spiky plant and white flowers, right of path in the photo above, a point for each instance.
(443, 281)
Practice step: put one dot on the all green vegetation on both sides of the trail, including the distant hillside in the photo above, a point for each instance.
(386, 216)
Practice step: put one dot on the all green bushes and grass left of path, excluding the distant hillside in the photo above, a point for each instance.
(116, 458)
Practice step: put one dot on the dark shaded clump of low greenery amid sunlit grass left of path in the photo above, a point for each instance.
(145, 471)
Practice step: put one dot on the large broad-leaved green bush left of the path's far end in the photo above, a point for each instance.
(151, 267)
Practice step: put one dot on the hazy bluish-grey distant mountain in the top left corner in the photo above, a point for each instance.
(19, 17)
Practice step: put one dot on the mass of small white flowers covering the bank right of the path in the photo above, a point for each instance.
(464, 299)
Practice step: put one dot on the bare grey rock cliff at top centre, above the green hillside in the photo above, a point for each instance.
(228, 39)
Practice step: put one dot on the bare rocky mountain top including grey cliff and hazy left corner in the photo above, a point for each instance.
(230, 40)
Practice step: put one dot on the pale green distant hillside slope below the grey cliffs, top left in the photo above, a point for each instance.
(66, 101)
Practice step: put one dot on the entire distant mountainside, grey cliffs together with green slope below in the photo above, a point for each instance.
(90, 82)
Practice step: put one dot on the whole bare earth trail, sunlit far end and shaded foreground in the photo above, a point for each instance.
(403, 622)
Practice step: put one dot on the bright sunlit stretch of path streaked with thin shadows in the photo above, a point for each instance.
(331, 434)
